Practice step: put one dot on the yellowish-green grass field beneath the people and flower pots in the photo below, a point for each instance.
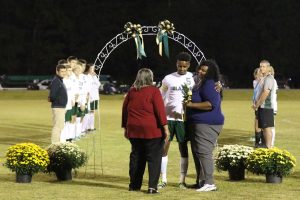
(26, 117)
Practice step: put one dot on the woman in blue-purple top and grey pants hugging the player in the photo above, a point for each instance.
(206, 121)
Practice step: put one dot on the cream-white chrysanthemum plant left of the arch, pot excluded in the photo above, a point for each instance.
(65, 156)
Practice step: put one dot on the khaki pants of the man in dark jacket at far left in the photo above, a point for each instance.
(58, 119)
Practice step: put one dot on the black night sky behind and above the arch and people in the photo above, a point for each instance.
(34, 34)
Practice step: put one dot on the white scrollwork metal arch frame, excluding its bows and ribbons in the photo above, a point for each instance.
(146, 30)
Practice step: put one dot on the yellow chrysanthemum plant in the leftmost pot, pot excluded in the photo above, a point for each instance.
(26, 159)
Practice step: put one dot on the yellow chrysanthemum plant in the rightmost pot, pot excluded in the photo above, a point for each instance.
(273, 161)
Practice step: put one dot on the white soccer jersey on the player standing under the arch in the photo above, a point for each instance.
(171, 90)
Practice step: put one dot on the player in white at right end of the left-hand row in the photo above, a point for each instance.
(94, 95)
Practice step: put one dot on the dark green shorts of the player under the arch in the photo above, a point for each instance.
(178, 128)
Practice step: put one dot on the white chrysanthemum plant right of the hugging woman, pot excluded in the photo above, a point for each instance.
(232, 156)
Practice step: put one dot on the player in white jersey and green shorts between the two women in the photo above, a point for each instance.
(171, 90)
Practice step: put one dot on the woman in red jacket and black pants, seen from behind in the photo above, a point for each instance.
(145, 125)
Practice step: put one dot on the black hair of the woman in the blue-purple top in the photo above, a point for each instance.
(213, 71)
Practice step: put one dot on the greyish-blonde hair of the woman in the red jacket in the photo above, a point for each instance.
(144, 78)
